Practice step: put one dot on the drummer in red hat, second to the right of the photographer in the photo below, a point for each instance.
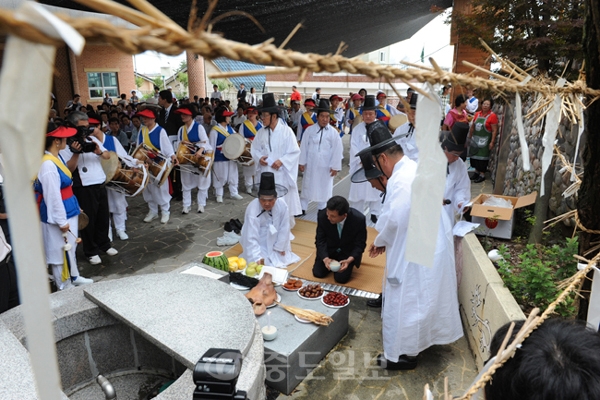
(155, 137)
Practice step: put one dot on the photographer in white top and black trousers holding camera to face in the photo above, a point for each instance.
(83, 156)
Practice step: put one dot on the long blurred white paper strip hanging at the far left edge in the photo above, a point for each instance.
(28, 69)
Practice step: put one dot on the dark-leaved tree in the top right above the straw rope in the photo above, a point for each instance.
(528, 32)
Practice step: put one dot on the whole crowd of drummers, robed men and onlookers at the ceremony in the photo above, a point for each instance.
(420, 304)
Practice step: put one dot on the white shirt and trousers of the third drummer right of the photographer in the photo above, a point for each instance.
(191, 180)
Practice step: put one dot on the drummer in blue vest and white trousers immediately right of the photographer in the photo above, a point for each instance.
(117, 202)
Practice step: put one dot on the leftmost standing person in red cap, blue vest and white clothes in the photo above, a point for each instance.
(59, 210)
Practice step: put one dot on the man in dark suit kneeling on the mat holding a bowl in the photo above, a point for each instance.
(341, 236)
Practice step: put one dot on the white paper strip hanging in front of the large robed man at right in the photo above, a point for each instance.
(428, 187)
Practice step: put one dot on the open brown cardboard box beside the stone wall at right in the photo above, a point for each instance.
(504, 216)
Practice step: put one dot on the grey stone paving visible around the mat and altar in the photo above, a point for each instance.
(349, 371)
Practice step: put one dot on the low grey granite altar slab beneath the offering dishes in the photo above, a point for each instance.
(299, 347)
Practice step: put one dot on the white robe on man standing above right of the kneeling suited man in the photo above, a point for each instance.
(360, 192)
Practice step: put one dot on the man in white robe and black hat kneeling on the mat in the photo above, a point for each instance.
(266, 236)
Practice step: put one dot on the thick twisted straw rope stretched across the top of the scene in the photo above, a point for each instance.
(157, 32)
